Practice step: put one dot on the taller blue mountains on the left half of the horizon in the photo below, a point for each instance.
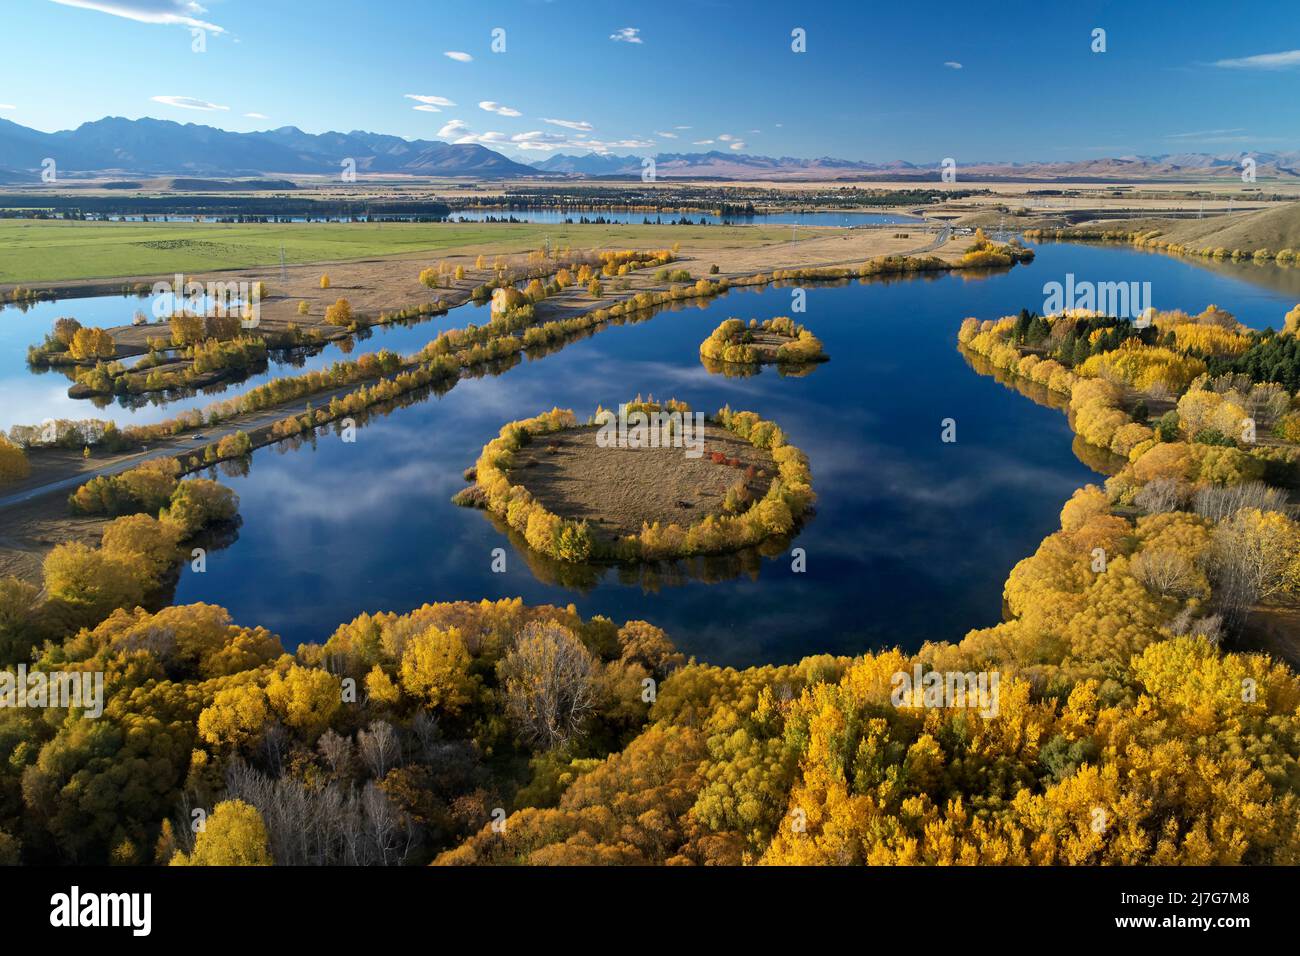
(162, 148)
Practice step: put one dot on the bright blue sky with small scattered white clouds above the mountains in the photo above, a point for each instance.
(920, 81)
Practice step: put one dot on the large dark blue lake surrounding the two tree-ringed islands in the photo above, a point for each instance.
(912, 539)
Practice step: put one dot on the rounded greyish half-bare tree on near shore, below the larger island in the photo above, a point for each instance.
(551, 684)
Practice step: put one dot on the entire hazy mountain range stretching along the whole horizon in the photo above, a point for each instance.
(162, 148)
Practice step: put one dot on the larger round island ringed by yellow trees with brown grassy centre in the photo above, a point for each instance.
(648, 482)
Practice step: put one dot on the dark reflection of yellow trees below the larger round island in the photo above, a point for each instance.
(651, 577)
